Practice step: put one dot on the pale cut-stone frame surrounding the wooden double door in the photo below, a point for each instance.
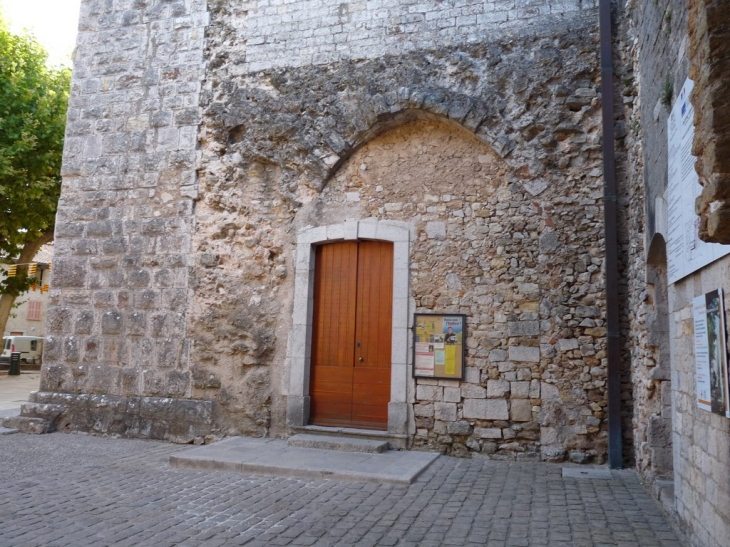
(299, 348)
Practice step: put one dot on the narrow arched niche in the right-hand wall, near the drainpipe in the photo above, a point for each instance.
(659, 423)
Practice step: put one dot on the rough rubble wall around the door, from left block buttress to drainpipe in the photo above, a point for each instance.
(283, 147)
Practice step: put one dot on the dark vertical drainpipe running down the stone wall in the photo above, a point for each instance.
(613, 342)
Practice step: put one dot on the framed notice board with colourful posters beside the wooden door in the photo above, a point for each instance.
(439, 346)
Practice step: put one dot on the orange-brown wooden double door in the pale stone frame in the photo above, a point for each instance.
(351, 334)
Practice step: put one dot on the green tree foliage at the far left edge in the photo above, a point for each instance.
(33, 102)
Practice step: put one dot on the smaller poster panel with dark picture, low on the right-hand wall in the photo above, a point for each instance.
(711, 353)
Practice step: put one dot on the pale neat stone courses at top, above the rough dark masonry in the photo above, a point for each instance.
(281, 33)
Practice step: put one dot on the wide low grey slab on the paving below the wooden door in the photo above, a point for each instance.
(276, 457)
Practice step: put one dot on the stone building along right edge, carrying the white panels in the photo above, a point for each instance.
(673, 131)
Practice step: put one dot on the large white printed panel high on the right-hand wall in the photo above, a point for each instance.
(686, 253)
